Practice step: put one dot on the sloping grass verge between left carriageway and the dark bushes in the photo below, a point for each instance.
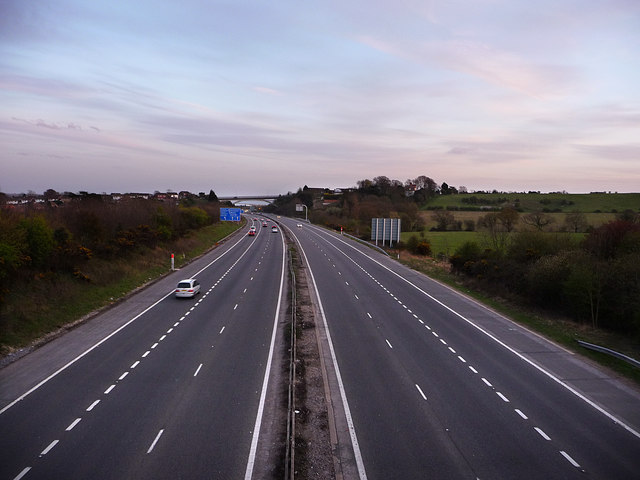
(50, 301)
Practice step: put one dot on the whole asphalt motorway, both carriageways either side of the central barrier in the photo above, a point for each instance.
(424, 382)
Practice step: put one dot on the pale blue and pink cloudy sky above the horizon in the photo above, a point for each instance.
(263, 97)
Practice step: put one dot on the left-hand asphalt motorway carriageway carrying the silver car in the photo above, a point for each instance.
(156, 387)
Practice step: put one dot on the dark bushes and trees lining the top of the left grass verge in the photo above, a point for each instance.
(61, 239)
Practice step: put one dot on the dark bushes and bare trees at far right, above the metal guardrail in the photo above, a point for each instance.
(595, 280)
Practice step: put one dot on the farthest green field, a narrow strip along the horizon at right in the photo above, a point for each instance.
(529, 202)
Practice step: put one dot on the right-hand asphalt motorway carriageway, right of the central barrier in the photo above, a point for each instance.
(437, 386)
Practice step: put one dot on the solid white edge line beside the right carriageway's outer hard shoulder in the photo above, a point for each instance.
(499, 342)
